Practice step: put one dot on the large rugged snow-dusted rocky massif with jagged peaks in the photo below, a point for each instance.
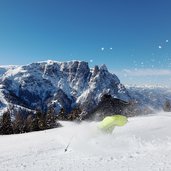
(58, 85)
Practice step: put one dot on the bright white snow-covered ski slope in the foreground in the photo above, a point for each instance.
(144, 144)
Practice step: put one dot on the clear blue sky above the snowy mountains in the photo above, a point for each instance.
(126, 35)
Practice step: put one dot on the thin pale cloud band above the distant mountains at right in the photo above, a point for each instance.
(147, 72)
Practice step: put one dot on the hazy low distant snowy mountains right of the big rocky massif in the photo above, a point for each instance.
(150, 99)
